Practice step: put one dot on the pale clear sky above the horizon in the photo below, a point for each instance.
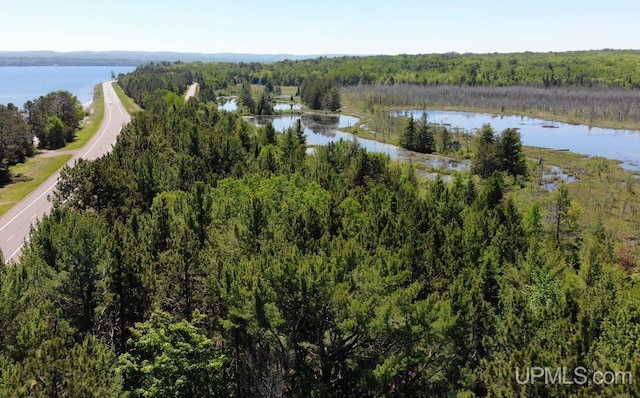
(319, 27)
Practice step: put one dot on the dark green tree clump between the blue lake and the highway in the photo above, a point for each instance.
(52, 119)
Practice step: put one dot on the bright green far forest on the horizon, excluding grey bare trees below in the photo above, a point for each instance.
(611, 68)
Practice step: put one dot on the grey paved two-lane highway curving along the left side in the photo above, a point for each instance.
(16, 223)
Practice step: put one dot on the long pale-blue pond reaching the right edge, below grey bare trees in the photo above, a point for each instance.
(623, 145)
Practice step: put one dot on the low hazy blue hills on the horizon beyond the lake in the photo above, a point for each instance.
(133, 58)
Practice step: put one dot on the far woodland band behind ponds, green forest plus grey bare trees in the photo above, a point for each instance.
(584, 86)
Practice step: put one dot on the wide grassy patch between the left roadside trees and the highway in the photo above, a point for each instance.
(29, 176)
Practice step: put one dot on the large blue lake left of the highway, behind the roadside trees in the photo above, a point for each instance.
(19, 84)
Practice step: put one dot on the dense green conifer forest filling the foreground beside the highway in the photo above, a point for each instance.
(204, 258)
